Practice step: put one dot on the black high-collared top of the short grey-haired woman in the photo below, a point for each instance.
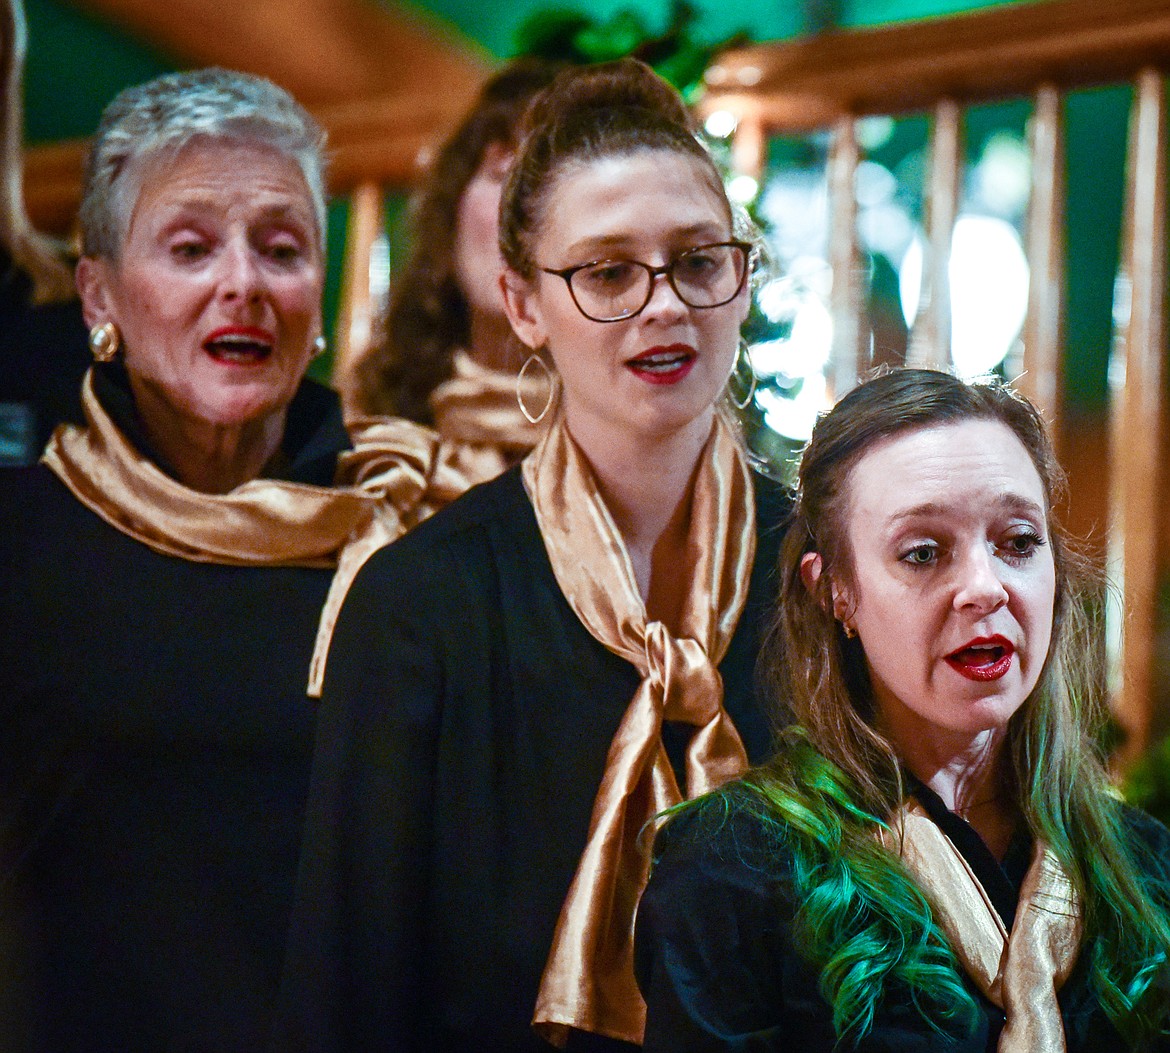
(157, 746)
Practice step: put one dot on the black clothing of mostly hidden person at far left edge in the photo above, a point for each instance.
(44, 355)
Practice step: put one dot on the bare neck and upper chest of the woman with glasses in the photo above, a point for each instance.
(648, 485)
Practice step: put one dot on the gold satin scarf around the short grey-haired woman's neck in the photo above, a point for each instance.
(393, 479)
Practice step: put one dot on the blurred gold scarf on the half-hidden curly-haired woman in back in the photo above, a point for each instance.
(477, 415)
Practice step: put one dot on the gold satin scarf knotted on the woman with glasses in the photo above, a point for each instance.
(589, 979)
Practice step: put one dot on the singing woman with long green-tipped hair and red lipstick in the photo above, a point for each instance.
(935, 859)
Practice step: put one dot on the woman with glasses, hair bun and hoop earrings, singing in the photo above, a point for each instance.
(520, 686)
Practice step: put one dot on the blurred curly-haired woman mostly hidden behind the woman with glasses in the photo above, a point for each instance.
(450, 357)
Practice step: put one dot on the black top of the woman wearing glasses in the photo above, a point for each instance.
(464, 734)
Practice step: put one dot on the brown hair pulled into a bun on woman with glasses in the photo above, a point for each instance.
(588, 114)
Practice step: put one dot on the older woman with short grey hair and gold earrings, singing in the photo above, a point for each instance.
(171, 575)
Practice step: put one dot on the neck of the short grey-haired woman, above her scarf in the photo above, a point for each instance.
(211, 459)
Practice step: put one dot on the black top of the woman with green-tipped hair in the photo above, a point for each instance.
(720, 972)
